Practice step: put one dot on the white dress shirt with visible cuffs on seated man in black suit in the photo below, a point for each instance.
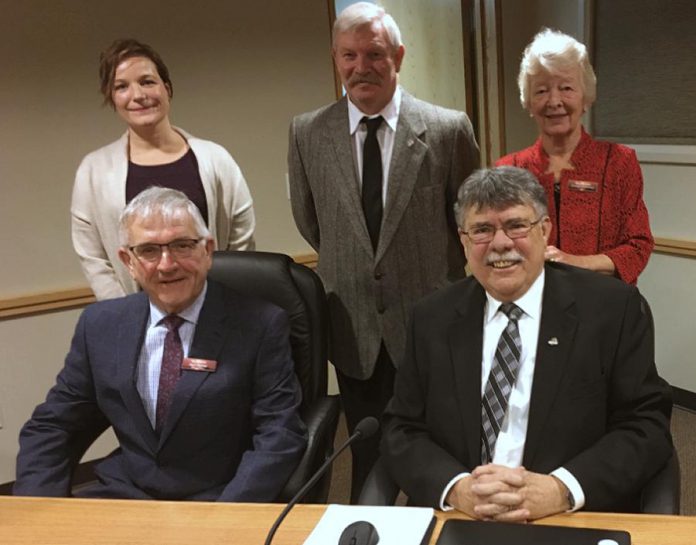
(509, 446)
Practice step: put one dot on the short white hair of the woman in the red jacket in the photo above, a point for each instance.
(553, 51)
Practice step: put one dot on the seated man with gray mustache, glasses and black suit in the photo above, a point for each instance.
(529, 388)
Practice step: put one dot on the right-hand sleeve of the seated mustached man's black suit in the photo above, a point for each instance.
(637, 440)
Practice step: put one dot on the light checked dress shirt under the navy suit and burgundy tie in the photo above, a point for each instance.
(150, 360)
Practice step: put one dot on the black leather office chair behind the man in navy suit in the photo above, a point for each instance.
(299, 291)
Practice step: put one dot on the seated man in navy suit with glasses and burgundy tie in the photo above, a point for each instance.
(196, 380)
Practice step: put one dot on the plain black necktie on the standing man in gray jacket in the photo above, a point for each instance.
(372, 180)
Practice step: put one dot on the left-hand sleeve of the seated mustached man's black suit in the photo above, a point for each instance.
(420, 466)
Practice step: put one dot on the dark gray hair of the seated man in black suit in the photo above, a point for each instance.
(499, 188)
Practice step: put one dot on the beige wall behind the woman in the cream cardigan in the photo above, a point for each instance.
(240, 70)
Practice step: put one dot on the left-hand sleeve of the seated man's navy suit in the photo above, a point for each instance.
(52, 442)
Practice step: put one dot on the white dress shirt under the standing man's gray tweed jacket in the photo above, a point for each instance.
(385, 136)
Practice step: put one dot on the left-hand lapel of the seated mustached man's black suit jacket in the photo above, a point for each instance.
(466, 349)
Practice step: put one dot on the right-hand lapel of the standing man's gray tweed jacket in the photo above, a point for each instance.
(407, 157)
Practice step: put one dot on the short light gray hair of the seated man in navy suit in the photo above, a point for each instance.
(164, 202)
